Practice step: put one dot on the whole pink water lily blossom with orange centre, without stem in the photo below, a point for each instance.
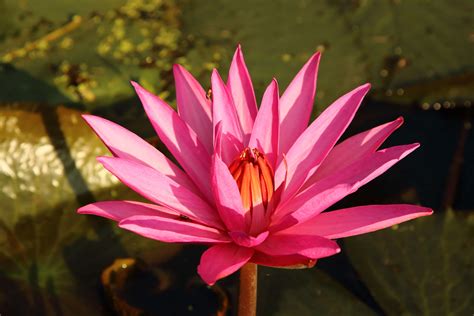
(253, 183)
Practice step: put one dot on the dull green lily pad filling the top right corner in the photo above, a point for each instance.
(417, 50)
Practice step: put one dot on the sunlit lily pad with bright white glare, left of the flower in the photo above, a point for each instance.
(50, 256)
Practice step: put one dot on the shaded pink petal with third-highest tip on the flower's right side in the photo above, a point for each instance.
(353, 149)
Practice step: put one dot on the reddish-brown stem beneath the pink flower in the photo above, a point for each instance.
(248, 290)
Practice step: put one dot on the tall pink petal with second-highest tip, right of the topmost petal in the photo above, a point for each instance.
(296, 103)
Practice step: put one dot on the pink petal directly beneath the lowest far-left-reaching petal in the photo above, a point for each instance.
(172, 229)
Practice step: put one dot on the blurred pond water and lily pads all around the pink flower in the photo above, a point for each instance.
(59, 59)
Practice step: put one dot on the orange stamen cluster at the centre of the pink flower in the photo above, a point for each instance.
(254, 177)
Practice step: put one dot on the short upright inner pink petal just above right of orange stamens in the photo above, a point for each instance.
(265, 130)
